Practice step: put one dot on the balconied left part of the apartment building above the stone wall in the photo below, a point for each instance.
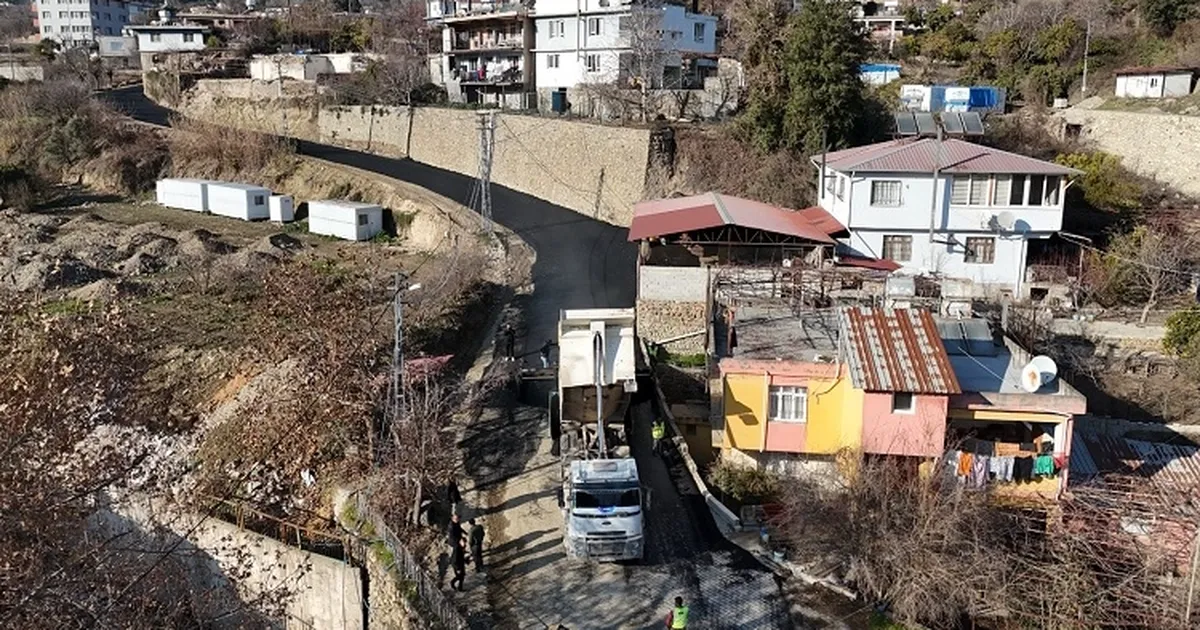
(487, 51)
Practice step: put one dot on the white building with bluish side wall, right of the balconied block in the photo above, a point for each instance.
(593, 41)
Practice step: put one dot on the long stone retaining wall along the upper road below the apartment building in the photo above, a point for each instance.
(595, 170)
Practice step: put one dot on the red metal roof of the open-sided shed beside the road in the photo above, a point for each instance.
(663, 218)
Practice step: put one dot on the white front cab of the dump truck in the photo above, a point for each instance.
(604, 520)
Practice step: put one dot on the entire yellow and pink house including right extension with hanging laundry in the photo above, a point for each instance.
(802, 392)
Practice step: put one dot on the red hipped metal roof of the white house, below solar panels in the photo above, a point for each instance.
(921, 155)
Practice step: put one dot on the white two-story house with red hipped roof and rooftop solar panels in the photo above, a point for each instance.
(974, 220)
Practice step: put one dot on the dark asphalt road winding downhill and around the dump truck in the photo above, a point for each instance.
(581, 263)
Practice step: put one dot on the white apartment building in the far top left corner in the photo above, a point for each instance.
(79, 23)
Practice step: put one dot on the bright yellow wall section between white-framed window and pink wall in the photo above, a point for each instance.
(836, 417)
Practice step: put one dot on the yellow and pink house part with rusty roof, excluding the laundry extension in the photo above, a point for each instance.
(801, 389)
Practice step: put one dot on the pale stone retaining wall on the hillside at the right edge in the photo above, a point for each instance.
(1150, 145)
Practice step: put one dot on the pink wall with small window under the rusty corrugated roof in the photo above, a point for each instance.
(919, 434)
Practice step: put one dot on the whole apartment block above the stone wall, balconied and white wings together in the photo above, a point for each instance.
(503, 52)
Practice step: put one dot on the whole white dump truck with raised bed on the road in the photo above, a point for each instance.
(602, 494)
